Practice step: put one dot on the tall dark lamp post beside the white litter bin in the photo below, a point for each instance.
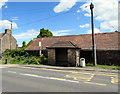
(93, 39)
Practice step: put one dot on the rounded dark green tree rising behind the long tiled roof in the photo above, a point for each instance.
(45, 33)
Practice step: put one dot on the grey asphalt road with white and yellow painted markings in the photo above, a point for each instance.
(24, 79)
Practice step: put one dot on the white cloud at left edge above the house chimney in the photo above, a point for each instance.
(5, 24)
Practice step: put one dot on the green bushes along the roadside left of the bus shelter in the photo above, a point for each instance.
(22, 57)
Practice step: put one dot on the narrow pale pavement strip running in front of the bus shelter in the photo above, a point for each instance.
(72, 68)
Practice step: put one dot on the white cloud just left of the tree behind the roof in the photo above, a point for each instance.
(30, 34)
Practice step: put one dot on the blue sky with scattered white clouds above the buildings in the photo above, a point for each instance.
(65, 17)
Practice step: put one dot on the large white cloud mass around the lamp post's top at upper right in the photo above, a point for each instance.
(107, 15)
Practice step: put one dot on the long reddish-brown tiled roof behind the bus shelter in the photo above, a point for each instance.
(83, 41)
